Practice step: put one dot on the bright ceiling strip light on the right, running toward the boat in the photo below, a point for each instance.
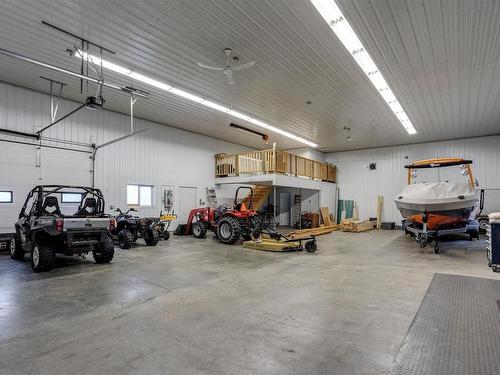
(330, 11)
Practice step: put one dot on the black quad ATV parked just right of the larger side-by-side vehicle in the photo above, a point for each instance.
(129, 228)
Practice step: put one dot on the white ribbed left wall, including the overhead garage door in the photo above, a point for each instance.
(161, 156)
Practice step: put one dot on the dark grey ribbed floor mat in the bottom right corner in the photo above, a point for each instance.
(456, 329)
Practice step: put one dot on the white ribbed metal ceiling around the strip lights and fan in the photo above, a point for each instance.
(440, 58)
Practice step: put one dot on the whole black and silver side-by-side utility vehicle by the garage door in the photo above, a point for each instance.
(68, 220)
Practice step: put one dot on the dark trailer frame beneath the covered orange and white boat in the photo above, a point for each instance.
(424, 236)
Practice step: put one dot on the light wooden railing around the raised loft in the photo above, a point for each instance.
(273, 161)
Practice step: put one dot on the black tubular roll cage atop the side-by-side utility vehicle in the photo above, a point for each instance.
(40, 193)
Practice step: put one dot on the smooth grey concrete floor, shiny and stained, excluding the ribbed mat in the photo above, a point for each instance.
(193, 306)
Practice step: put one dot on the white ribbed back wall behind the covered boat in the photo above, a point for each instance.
(357, 183)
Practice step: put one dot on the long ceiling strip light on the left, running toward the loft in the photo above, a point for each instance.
(187, 95)
